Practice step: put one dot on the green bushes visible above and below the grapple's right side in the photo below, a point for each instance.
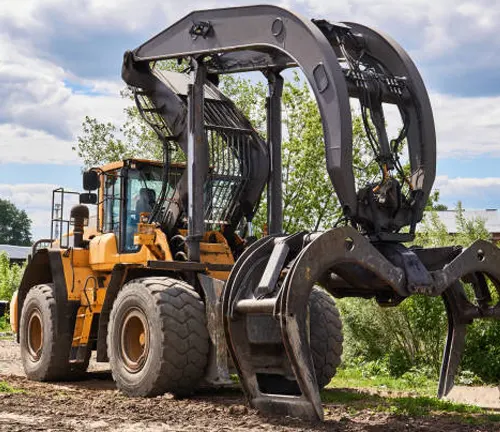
(411, 336)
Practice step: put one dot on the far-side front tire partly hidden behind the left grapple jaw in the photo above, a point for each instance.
(326, 335)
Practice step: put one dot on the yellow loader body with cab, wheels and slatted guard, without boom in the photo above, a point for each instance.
(142, 285)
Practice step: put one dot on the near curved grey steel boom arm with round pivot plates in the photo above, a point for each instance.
(269, 37)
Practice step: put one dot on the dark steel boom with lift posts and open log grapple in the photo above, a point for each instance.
(264, 303)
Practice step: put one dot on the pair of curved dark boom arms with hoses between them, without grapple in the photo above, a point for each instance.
(269, 38)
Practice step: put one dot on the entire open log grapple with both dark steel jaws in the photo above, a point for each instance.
(267, 327)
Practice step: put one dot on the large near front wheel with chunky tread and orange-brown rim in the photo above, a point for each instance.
(157, 338)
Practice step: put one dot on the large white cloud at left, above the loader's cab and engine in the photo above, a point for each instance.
(40, 115)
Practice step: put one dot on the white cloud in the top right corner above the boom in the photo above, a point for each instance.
(434, 26)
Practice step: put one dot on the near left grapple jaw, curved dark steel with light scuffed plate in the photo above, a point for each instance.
(267, 329)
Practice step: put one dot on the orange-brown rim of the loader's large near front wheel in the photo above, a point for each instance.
(134, 346)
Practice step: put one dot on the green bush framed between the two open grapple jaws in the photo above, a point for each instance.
(402, 338)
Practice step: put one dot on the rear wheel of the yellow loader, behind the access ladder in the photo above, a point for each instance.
(46, 338)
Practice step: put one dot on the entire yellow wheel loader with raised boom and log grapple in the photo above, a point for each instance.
(172, 287)
